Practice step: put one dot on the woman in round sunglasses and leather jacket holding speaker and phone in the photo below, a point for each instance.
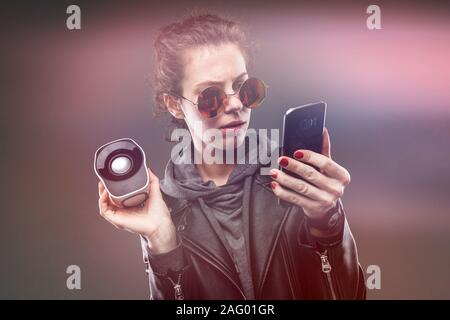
(217, 231)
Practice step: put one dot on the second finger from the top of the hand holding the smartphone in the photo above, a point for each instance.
(312, 176)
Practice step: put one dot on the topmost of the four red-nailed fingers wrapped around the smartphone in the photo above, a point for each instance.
(326, 166)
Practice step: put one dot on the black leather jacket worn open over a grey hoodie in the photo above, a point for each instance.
(286, 262)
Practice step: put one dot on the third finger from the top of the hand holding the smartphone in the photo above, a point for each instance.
(300, 186)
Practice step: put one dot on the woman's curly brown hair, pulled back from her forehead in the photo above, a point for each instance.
(200, 28)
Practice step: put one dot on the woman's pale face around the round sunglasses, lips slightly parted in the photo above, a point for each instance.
(223, 66)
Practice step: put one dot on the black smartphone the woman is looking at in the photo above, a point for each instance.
(303, 129)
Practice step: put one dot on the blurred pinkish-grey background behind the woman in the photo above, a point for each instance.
(64, 93)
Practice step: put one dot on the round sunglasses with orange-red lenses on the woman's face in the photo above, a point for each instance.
(211, 101)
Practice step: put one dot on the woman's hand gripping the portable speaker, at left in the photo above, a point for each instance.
(152, 220)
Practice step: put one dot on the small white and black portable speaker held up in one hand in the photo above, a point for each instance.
(121, 166)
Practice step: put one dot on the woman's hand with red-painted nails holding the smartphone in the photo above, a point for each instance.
(319, 191)
